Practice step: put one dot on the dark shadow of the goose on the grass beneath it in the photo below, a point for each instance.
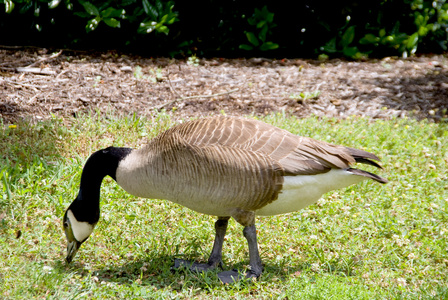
(157, 272)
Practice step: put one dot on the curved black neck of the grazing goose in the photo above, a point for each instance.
(86, 206)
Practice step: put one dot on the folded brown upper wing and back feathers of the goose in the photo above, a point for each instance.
(296, 155)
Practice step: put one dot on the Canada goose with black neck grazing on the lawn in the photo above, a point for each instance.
(221, 166)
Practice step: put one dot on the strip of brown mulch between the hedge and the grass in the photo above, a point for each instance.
(68, 83)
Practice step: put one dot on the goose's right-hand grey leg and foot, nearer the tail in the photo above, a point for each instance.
(256, 268)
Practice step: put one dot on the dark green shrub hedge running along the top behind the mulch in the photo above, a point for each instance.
(347, 28)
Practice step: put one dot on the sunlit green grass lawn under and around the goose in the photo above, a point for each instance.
(368, 241)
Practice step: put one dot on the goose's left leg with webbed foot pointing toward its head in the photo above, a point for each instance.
(215, 258)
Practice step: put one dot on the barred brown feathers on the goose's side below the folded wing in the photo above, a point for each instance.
(214, 173)
